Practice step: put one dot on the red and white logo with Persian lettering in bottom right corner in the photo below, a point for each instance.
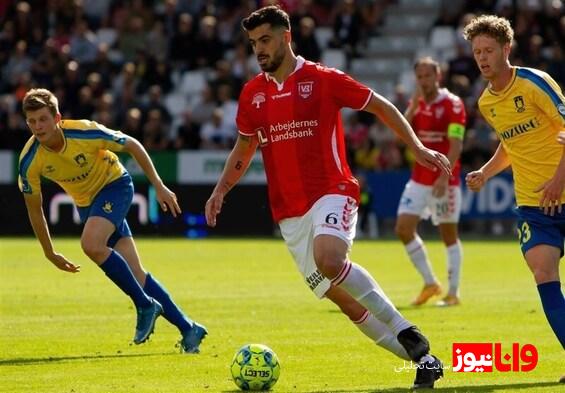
(479, 358)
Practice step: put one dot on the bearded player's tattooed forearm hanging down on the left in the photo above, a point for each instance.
(237, 163)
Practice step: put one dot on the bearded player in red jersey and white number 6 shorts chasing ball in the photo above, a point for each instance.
(291, 110)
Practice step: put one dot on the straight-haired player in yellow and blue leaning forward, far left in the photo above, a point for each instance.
(78, 156)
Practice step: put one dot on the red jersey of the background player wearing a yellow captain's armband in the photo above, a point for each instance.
(431, 124)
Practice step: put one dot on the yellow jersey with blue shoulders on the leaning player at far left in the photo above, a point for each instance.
(85, 164)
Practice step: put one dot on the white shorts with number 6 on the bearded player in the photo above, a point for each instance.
(334, 215)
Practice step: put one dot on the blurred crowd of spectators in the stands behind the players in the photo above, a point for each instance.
(169, 72)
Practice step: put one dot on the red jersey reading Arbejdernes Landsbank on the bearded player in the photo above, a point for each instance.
(298, 125)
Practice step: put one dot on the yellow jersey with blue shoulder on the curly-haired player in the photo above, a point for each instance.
(527, 116)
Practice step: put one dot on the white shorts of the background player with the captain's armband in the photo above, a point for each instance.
(417, 199)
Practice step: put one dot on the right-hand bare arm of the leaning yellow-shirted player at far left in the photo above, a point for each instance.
(167, 199)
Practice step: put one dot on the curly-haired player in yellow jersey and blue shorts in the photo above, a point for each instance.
(527, 111)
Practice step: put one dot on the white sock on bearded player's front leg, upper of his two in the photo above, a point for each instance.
(362, 287)
